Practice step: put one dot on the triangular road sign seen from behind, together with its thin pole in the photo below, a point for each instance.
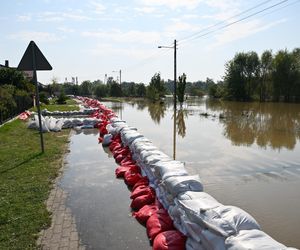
(33, 60)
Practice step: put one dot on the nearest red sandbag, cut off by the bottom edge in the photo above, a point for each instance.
(169, 240)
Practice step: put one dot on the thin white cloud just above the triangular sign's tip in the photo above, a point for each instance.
(36, 36)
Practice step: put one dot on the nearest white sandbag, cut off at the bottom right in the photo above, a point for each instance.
(252, 240)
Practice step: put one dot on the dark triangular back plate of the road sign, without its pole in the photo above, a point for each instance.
(33, 59)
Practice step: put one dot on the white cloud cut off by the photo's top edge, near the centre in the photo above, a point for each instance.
(172, 4)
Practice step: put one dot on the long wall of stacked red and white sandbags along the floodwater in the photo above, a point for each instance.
(172, 205)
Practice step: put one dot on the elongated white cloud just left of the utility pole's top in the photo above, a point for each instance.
(132, 36)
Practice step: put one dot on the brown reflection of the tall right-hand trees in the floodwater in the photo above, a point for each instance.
(266, 124)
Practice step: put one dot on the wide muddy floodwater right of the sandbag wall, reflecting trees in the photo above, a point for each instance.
(247, 154)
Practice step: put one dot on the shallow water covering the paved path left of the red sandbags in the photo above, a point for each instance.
(99, 202)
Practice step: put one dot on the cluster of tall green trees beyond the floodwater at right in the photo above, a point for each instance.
(268, 77)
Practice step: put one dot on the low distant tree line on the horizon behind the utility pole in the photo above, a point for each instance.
(155, 90)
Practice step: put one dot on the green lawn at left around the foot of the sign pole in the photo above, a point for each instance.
(25, 181)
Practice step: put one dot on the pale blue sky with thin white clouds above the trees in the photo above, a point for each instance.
(93, 38)
